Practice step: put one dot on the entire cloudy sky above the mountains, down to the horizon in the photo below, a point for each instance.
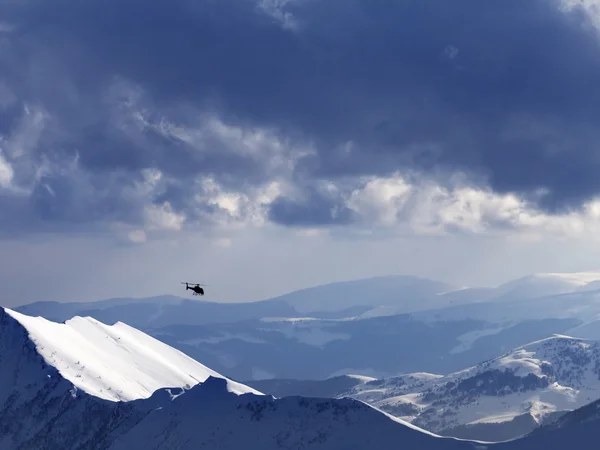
(262, 146)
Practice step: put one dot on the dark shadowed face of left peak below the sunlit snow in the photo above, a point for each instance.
(38, 406)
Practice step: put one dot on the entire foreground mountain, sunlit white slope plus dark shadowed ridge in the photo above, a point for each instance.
(55, 378)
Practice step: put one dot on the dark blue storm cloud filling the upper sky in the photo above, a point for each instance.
(506, 89)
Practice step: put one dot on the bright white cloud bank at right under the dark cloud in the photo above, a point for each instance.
(428, 208)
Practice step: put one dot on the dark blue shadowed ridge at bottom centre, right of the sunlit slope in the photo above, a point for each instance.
(232, 422)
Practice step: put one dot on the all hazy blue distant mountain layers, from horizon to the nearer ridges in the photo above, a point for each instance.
(282, 338)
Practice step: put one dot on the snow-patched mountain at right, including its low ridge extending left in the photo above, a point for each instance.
(499, 399)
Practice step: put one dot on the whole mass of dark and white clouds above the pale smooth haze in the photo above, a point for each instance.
(424, 115)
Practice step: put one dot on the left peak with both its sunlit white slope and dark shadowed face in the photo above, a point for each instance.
(62, 386)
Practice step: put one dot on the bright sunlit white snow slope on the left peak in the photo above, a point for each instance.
(114, 362)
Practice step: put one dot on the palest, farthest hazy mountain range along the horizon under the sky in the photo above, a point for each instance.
(366, 298)
